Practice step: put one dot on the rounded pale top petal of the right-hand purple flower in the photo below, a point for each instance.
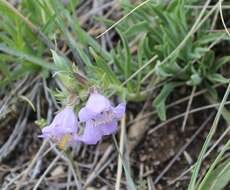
(98, 103)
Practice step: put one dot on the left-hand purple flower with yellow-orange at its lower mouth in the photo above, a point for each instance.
(62, 128)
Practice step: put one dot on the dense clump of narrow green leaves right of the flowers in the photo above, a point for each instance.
(164, 28)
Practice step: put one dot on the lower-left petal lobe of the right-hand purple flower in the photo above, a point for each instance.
(91, 134)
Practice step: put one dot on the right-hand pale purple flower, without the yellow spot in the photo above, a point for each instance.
(100, 118)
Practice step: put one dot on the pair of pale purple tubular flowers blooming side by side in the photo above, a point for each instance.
(98, 118)
